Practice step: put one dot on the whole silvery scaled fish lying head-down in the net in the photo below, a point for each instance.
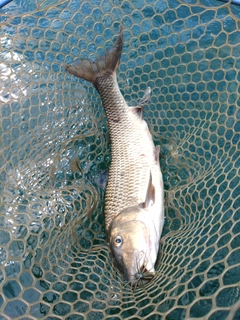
(134, 197)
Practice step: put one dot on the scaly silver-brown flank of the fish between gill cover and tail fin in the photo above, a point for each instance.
(129, 171)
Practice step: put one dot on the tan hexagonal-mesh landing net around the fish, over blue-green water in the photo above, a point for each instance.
(55, 153)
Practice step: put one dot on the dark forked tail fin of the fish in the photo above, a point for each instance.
(106, 64)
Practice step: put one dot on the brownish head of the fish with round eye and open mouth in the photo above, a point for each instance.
(134, 244)
